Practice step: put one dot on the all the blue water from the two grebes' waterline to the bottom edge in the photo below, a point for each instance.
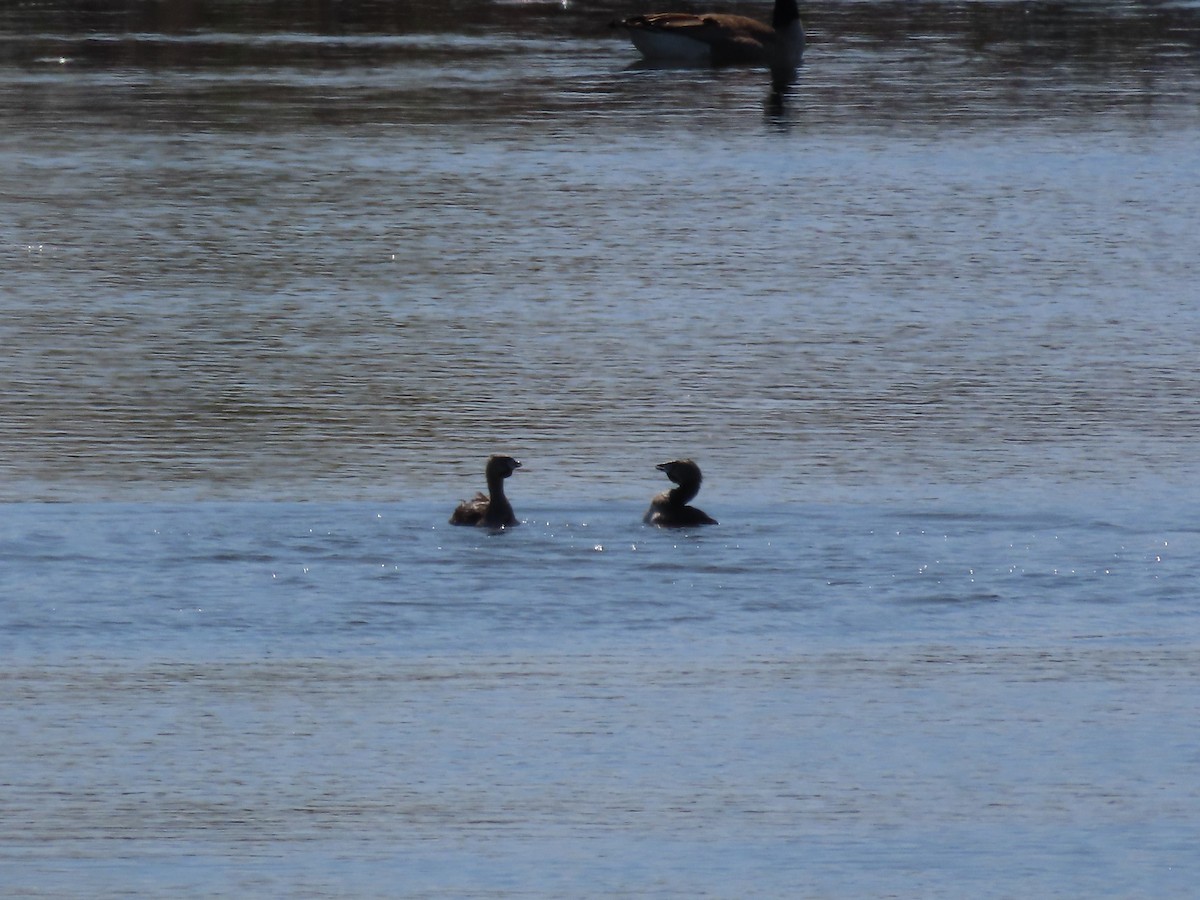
(844, 700)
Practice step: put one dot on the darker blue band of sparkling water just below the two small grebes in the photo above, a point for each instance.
(136, 581)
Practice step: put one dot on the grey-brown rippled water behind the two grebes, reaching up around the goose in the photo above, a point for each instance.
(302, 266)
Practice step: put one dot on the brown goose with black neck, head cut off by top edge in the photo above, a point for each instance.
(722, 40)
